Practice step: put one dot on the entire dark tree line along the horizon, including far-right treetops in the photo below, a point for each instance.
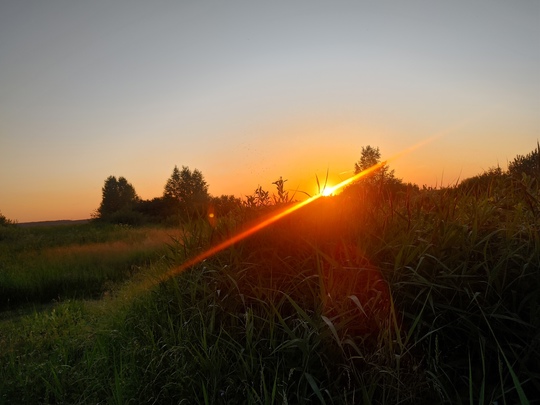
(185, 194)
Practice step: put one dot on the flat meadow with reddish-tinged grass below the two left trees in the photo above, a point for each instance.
(82, 261)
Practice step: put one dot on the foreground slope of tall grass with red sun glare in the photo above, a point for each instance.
(427, 298)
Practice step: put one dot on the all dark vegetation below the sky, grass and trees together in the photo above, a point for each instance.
(385, 293)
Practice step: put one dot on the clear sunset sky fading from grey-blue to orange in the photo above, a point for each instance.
(248, 91)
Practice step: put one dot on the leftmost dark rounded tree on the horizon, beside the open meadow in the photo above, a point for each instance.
(117, 195)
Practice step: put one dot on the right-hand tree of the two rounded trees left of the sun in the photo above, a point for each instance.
(187, 191)
